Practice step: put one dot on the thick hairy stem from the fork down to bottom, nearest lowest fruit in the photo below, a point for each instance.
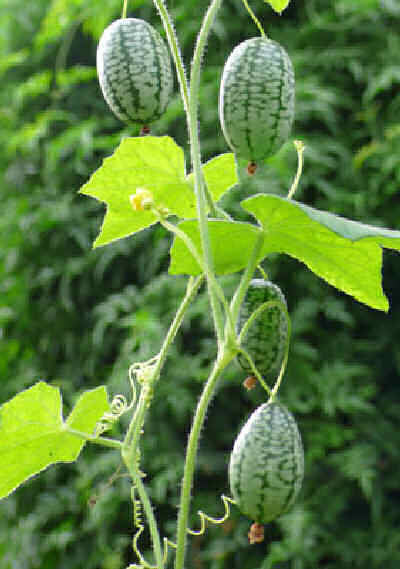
(191, 451)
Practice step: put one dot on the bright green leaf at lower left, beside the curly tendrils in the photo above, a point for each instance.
(33, 434)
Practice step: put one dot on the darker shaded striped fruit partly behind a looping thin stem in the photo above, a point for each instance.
(267, 336)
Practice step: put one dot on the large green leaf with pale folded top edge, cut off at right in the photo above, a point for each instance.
(345, 253)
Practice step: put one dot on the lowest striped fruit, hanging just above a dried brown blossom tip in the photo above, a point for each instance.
(267, 463)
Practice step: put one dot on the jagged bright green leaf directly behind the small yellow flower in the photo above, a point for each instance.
(152, 163)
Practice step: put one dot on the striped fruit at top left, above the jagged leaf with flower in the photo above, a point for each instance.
(134, 70)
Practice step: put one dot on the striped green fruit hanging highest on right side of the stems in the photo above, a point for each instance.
(256, 104)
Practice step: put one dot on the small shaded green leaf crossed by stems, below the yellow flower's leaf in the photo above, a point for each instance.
(231, 242)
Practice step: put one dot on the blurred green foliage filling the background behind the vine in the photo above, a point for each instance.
(77, 317)
